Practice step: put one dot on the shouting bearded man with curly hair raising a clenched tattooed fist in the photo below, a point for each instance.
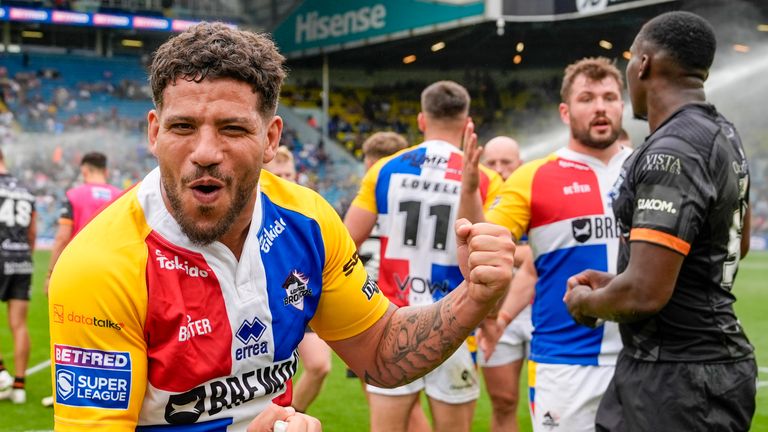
(183, 302)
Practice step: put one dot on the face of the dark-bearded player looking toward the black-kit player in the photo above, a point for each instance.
(593, 111)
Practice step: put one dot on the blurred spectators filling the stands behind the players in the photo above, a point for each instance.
(43, 111)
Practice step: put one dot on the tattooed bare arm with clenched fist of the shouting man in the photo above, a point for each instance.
(407, 343)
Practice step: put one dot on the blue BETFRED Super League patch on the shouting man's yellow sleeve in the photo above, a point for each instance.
(92, 378)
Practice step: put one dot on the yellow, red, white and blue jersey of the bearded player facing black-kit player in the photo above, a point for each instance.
(563, 203)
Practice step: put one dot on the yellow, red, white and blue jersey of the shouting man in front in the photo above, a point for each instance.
(150, 329)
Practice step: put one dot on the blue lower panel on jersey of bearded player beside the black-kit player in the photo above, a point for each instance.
(563, 341)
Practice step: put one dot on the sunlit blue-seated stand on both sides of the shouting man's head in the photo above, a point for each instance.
(65, 109)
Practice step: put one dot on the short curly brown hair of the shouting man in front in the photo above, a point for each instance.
(215, 50)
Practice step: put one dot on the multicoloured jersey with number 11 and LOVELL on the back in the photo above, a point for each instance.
(415, 194)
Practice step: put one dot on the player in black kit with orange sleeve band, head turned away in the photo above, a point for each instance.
(681, 204)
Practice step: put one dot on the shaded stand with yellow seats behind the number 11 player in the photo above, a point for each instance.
(517, 105)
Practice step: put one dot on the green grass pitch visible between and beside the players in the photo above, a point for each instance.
(341, 406)
